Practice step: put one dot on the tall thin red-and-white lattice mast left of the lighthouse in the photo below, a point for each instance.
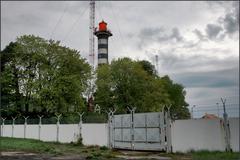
(91, 31)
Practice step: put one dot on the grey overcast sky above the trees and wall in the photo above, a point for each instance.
(197, 43)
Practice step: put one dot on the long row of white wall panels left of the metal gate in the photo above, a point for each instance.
(92, 134)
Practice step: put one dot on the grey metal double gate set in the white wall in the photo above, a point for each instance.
(140, 131)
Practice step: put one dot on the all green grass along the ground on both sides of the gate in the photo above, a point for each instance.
(100, 153)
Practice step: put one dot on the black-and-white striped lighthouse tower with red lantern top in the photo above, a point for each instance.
(102, 33)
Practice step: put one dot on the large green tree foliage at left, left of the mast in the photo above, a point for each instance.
(41, 76)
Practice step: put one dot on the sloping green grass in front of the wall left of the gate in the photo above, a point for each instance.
(53, 148)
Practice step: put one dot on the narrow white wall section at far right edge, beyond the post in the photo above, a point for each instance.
(234, 133)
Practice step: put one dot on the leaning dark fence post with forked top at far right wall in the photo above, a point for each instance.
(226, 126)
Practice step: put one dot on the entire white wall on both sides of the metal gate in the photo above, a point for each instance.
(186, 135)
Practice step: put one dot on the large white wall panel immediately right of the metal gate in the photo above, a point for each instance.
(199, 134)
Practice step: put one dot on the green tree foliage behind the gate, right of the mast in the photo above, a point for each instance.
(134, 83)
